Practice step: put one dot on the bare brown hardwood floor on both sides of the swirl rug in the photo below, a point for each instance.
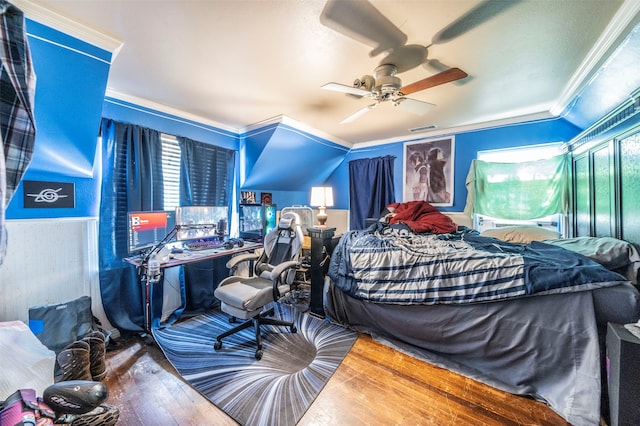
(374, 385)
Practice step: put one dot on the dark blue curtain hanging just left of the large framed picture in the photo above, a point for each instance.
(370, 188)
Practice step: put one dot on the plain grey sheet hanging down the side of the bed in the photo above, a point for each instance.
(545, 347)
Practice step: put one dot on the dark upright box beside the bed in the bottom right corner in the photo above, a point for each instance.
(623, 368)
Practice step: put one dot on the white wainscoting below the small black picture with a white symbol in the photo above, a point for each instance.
(49, 261)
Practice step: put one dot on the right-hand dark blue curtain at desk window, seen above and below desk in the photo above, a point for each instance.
(206, 179)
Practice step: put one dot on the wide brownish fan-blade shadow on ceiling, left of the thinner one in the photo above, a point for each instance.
(361, 21)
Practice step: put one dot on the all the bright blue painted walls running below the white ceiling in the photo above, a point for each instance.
(279, 158)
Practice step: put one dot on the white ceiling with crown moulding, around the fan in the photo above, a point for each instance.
(242, 62)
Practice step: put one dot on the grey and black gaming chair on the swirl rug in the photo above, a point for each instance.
(273, 272)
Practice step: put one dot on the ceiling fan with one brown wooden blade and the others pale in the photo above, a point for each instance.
(384, 86)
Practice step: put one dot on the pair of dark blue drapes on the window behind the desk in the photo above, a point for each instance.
(132, 180)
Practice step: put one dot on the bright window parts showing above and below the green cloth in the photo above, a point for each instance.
(519, 155)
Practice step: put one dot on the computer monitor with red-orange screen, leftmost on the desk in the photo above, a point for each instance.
(146, 229)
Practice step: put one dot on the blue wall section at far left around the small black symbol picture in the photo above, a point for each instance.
(71, 81)
